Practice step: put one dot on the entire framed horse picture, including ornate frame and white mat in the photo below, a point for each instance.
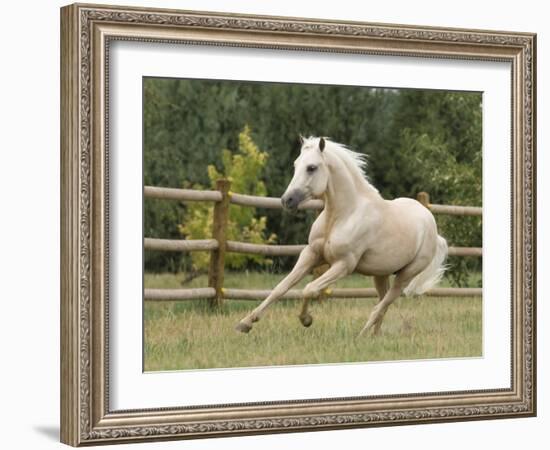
(276, 224)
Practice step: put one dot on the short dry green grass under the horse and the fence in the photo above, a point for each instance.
(189, 335)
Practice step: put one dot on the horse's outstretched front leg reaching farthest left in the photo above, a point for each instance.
(307, 260)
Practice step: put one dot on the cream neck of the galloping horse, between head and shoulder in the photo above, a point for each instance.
(345, 189)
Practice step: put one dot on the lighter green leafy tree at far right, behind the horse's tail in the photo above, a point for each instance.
(440, 146)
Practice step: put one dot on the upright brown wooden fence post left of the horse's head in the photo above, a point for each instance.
(219, 228)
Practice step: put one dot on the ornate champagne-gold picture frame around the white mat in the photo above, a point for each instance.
(87, 32)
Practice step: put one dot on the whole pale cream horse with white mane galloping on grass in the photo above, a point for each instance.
(357, 231)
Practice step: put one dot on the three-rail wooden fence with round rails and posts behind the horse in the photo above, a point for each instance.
(218, 245)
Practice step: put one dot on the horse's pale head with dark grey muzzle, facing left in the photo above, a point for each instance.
(310, 174)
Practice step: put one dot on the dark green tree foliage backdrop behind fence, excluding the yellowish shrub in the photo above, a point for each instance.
(416, 140)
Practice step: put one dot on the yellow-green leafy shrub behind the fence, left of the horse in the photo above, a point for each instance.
(244, 170)
